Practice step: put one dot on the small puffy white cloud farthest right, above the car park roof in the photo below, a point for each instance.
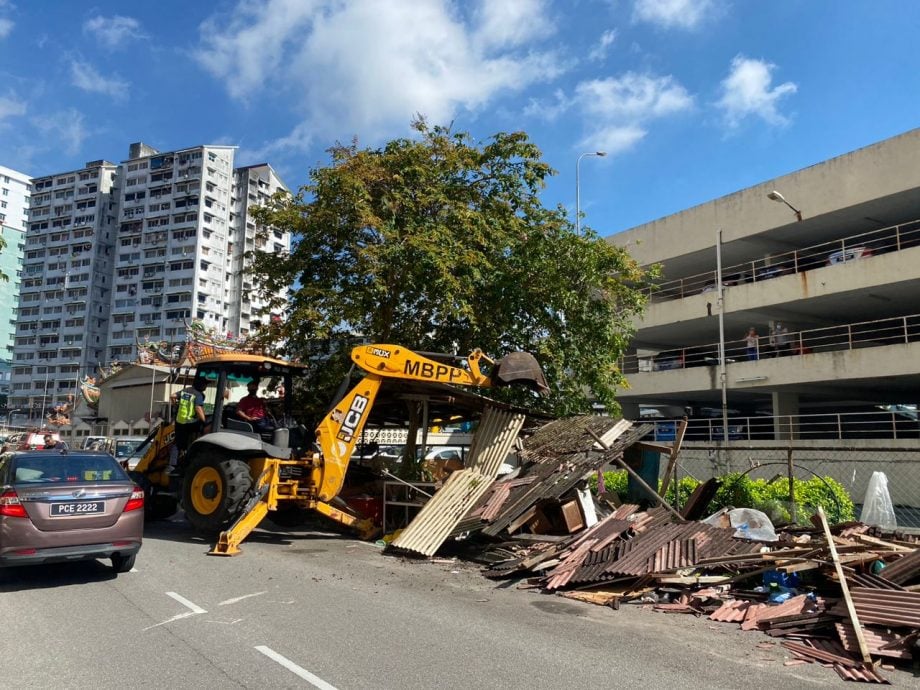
(747, 91)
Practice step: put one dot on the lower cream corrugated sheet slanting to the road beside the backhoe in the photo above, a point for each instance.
(440, 515)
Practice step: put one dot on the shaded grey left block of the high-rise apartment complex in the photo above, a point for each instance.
(65, 294)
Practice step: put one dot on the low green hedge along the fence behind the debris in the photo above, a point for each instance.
(770, 497)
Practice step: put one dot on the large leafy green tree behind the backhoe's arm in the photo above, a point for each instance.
(440, 243)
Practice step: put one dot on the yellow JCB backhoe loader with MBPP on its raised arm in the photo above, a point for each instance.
(235, 475)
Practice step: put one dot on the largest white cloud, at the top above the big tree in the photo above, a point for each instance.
(365, 67)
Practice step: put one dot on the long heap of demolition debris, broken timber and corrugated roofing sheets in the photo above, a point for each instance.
(847, 596)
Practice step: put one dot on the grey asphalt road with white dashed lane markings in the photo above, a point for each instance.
(301, 609)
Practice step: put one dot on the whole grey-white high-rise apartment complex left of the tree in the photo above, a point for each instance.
(129, 253)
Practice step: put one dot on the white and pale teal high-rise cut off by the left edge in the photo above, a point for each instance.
(15, 190)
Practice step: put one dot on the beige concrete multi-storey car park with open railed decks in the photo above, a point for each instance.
(831, 252)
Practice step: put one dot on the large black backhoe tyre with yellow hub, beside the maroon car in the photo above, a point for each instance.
(214, 491)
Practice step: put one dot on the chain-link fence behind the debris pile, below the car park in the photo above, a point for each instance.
(852, 468)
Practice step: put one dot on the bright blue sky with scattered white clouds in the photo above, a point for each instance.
(692, 99)
